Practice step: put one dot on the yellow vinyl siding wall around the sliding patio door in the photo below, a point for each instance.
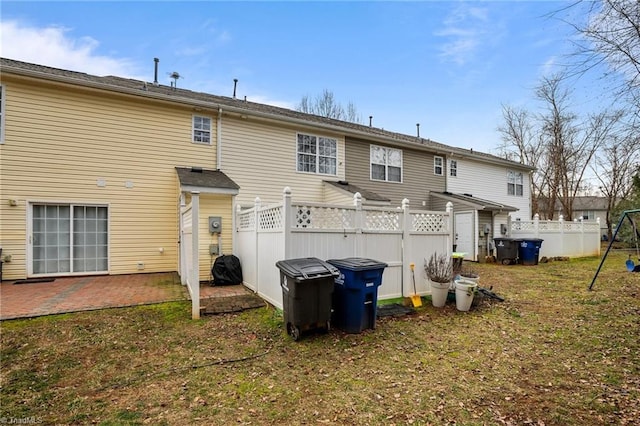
(60, 141)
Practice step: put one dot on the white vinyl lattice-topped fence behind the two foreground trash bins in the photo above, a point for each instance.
(395, 236)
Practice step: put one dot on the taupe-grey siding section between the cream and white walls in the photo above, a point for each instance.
(417, 174)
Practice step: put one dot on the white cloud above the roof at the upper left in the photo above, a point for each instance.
(55, 47)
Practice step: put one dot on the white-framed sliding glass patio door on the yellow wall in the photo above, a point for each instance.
(69, 238)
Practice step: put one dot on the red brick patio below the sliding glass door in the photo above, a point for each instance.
(74, 294)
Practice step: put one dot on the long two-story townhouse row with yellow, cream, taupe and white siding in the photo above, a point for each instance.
(94, 171)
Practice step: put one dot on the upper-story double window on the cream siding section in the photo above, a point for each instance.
(317, 154)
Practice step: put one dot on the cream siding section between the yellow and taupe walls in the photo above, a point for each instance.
(261, 158)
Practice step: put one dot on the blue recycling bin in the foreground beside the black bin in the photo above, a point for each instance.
(355, 293)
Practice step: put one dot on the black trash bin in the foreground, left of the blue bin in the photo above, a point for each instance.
(307, 288)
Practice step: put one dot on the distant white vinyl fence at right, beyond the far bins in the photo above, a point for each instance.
(560, 238)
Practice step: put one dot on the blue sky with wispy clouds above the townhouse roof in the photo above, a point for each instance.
(448, 65)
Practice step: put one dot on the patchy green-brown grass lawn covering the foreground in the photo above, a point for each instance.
(553, 353)
